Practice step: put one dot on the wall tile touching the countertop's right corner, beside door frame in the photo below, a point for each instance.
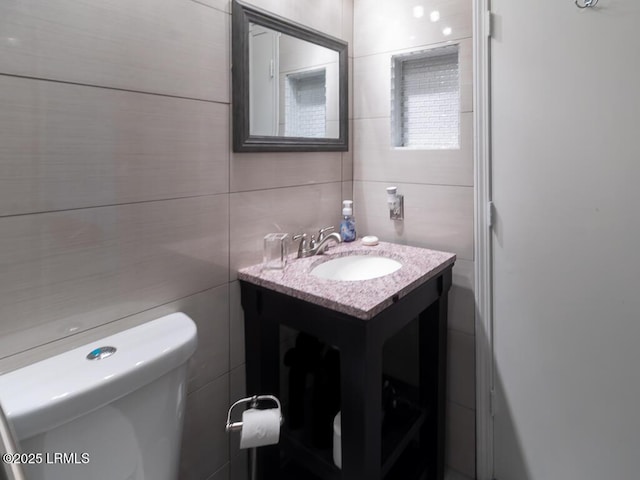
(461, 298)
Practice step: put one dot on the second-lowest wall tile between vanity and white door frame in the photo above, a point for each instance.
(461, 384)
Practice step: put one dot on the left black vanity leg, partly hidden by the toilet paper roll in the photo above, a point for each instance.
(262, 346)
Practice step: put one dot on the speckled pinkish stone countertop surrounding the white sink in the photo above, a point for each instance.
(362, 299)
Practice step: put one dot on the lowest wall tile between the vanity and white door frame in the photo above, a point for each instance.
(460, 439)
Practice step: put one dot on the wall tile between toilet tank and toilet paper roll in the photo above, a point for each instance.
(205, 446)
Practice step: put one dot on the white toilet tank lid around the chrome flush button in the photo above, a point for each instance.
(54, 391)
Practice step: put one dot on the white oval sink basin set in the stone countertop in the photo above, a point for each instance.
(356, 267)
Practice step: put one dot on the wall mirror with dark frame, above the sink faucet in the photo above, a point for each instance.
(290, 85)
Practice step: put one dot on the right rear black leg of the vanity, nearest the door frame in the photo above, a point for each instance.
(433, 369)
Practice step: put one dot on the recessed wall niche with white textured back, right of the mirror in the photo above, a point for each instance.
(425, 99)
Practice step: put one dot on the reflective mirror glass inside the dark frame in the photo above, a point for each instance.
(293, 89)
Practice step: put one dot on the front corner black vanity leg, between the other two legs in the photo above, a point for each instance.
(361, 403)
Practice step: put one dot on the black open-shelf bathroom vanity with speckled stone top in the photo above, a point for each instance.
(357, 317)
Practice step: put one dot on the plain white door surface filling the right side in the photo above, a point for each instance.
(567, 273)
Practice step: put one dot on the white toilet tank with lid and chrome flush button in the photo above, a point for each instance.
(95, 413)
